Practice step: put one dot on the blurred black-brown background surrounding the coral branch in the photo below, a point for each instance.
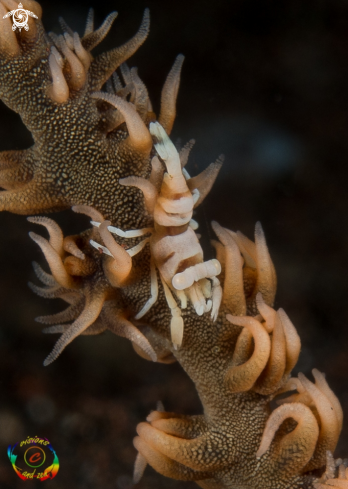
(265, 83)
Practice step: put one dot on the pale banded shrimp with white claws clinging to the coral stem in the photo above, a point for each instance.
(176, 253)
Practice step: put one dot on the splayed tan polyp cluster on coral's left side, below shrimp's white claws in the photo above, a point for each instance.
(90, 307)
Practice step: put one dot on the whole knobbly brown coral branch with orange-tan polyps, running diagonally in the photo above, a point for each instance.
(139, 269)
